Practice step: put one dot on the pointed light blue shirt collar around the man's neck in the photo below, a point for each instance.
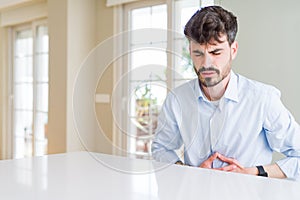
(231, 92)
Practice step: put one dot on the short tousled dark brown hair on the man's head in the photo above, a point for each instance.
(211, 23)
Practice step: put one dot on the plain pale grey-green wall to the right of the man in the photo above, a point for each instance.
(269, 39)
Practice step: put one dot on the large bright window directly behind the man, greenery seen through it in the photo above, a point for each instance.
(157, 61)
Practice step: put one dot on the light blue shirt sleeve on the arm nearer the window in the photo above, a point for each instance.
(167, 137)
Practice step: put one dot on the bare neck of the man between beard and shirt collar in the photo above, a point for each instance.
(216, 92)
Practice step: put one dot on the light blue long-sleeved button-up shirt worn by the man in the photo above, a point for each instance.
(249, 123)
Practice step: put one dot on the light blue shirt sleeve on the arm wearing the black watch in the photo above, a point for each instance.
(283, 135)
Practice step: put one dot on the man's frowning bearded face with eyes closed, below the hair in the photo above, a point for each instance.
(212, 62)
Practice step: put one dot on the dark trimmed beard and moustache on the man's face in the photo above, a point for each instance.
(213, 81)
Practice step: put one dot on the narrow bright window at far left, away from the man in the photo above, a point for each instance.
(30, 90)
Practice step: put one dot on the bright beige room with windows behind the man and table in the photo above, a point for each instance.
(92, 75)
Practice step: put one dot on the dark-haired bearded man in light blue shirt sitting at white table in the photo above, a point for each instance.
(224, 120)
